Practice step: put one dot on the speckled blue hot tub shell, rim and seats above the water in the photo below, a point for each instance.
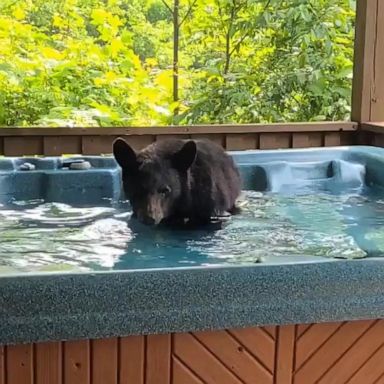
(62, 306)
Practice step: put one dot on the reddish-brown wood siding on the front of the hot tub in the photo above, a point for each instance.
(327, 353)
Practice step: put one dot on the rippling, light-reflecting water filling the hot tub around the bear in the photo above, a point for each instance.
(38, 236)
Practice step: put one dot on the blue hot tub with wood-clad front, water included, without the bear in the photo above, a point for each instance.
(299, 303)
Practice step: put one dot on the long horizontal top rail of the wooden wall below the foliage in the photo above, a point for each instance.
(184, 130)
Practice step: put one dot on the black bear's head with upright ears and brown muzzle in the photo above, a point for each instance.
(155, 179)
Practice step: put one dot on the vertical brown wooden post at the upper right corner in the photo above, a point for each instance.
(368, 74)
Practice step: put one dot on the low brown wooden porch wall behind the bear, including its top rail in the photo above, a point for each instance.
(96, 141)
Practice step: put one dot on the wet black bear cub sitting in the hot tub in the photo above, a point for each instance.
(173, 181)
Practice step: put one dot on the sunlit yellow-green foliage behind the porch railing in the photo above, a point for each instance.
(109, 62)
